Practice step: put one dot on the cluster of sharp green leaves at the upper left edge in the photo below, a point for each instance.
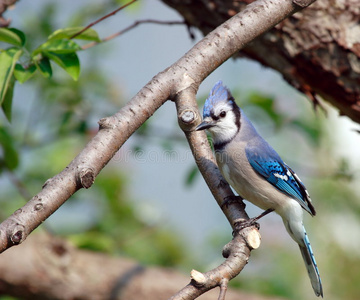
(18, 63)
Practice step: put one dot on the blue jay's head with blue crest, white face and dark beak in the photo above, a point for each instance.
(221, 114)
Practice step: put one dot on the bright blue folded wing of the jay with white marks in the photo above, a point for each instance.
(266, 162)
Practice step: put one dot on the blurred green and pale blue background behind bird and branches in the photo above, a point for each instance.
(171, 219)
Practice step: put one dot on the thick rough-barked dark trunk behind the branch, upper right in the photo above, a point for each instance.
(316, 50)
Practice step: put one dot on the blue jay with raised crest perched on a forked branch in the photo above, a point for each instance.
(256, 172)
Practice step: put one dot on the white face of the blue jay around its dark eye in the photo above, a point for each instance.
(225, 120)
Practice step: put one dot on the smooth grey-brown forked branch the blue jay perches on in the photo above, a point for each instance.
(179, 82)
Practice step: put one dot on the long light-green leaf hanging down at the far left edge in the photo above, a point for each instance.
(8, 59)
